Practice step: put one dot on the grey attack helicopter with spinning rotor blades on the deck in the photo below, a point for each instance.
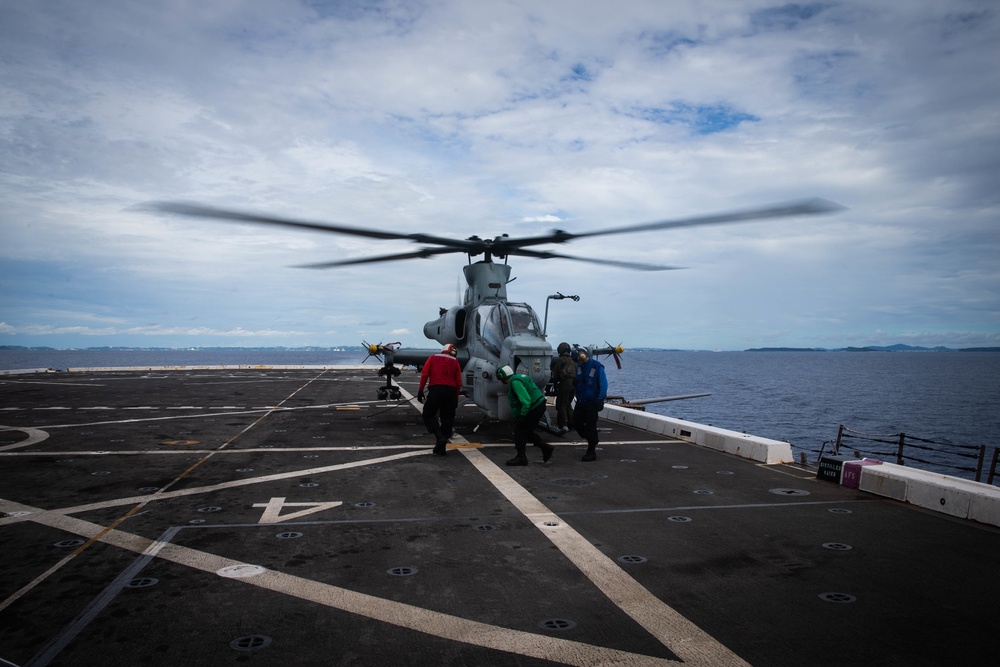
(489, 330)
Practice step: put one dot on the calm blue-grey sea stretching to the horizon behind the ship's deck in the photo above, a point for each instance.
(951, 398)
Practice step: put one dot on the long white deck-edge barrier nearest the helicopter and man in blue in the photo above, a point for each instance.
(752, 447)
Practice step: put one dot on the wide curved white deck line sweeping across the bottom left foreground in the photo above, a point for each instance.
(437, 624)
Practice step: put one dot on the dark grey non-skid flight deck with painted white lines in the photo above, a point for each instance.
(286, 517)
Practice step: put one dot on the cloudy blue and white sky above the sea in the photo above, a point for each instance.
(517, 117)
